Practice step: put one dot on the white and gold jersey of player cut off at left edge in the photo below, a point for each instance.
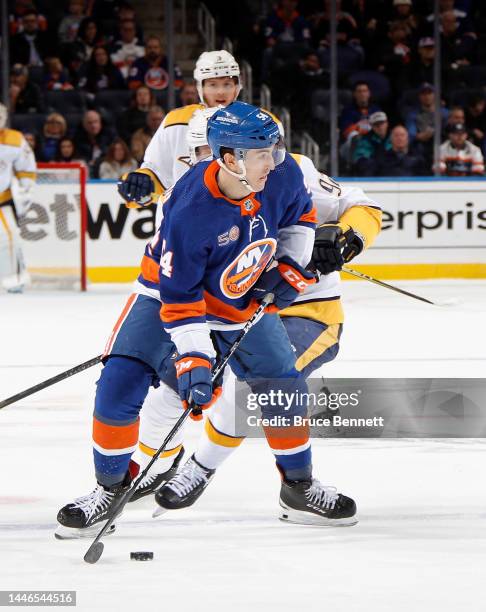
(16, 159)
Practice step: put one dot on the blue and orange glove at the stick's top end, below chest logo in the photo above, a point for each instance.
(286, 279)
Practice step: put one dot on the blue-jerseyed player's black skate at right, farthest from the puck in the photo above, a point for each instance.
(311, 503)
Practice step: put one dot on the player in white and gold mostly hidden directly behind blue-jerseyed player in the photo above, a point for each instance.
(349, 222)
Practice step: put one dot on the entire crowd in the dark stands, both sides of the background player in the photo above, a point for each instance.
(86, 84)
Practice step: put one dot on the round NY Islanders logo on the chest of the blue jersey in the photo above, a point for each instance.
(245, 269)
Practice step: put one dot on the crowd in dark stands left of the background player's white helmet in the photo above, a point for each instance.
(86, 85)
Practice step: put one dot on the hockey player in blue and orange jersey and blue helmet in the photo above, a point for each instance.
(235, 229)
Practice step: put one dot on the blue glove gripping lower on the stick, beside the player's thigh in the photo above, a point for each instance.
(194, 381)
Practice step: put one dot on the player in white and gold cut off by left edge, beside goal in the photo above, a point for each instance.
(17, 161)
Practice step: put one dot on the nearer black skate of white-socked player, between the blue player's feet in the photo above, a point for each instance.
(184, 488)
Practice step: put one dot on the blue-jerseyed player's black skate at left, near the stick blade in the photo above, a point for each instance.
(84, 517)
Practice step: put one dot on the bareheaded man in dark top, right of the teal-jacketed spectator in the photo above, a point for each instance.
(400, 159)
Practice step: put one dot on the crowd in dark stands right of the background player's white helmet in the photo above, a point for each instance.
(385, 59)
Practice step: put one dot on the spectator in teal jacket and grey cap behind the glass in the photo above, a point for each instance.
(371, 145)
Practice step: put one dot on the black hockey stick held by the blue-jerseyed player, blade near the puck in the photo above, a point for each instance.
(95, 551)
